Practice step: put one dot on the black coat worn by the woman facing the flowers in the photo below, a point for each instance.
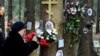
(15, 46)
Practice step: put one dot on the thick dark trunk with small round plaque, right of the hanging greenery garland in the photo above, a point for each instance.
(85, 33)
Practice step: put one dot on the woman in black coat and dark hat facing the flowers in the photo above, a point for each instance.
(15, 45)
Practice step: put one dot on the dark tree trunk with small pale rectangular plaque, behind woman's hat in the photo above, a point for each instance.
(29, 4)
